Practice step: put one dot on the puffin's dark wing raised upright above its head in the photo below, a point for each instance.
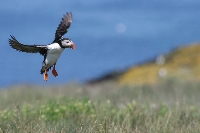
(63, 26)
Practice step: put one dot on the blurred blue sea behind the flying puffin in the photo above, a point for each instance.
(109, 35)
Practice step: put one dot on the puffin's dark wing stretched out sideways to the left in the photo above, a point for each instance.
(27, 48)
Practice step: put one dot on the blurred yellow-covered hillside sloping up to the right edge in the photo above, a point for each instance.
(183, 63)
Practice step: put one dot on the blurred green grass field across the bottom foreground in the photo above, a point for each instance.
(170, 106)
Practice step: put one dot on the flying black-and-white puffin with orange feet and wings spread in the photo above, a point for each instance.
(50, 52)
